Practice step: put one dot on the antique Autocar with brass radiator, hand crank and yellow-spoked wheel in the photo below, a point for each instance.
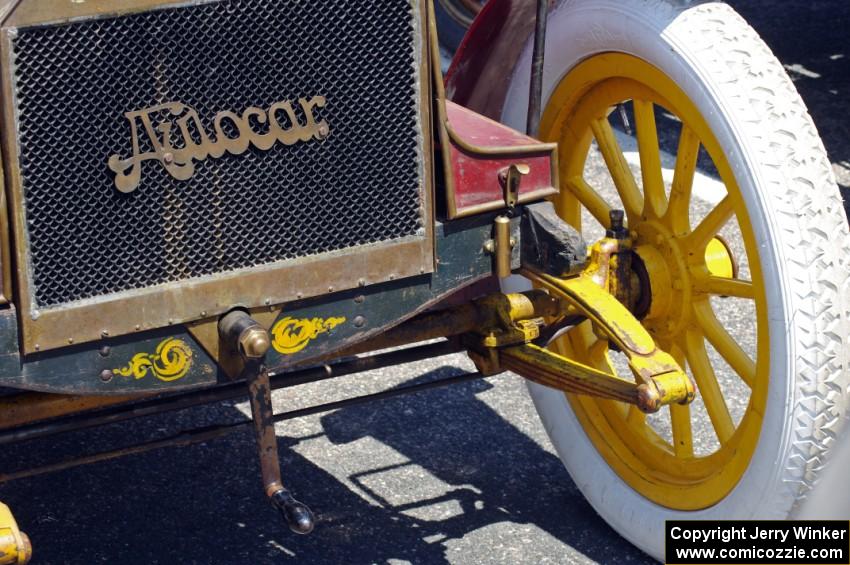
(625, 202)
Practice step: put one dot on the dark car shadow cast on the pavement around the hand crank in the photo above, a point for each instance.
(203, 504)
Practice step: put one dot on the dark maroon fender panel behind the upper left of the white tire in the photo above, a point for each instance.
(478, 76)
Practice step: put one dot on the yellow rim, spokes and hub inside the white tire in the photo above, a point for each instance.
(688, 266)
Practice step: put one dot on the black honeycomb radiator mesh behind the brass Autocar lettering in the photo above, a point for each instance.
(75, 82)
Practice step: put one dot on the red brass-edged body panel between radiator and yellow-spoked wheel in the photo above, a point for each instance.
(476, 176)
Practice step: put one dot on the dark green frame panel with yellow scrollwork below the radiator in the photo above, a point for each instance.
(367, 312)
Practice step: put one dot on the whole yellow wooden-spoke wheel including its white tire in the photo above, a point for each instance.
(683, 118)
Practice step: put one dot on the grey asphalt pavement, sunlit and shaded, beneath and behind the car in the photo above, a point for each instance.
(458, 475)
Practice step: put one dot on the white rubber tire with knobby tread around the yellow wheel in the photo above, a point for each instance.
(801, 229)
